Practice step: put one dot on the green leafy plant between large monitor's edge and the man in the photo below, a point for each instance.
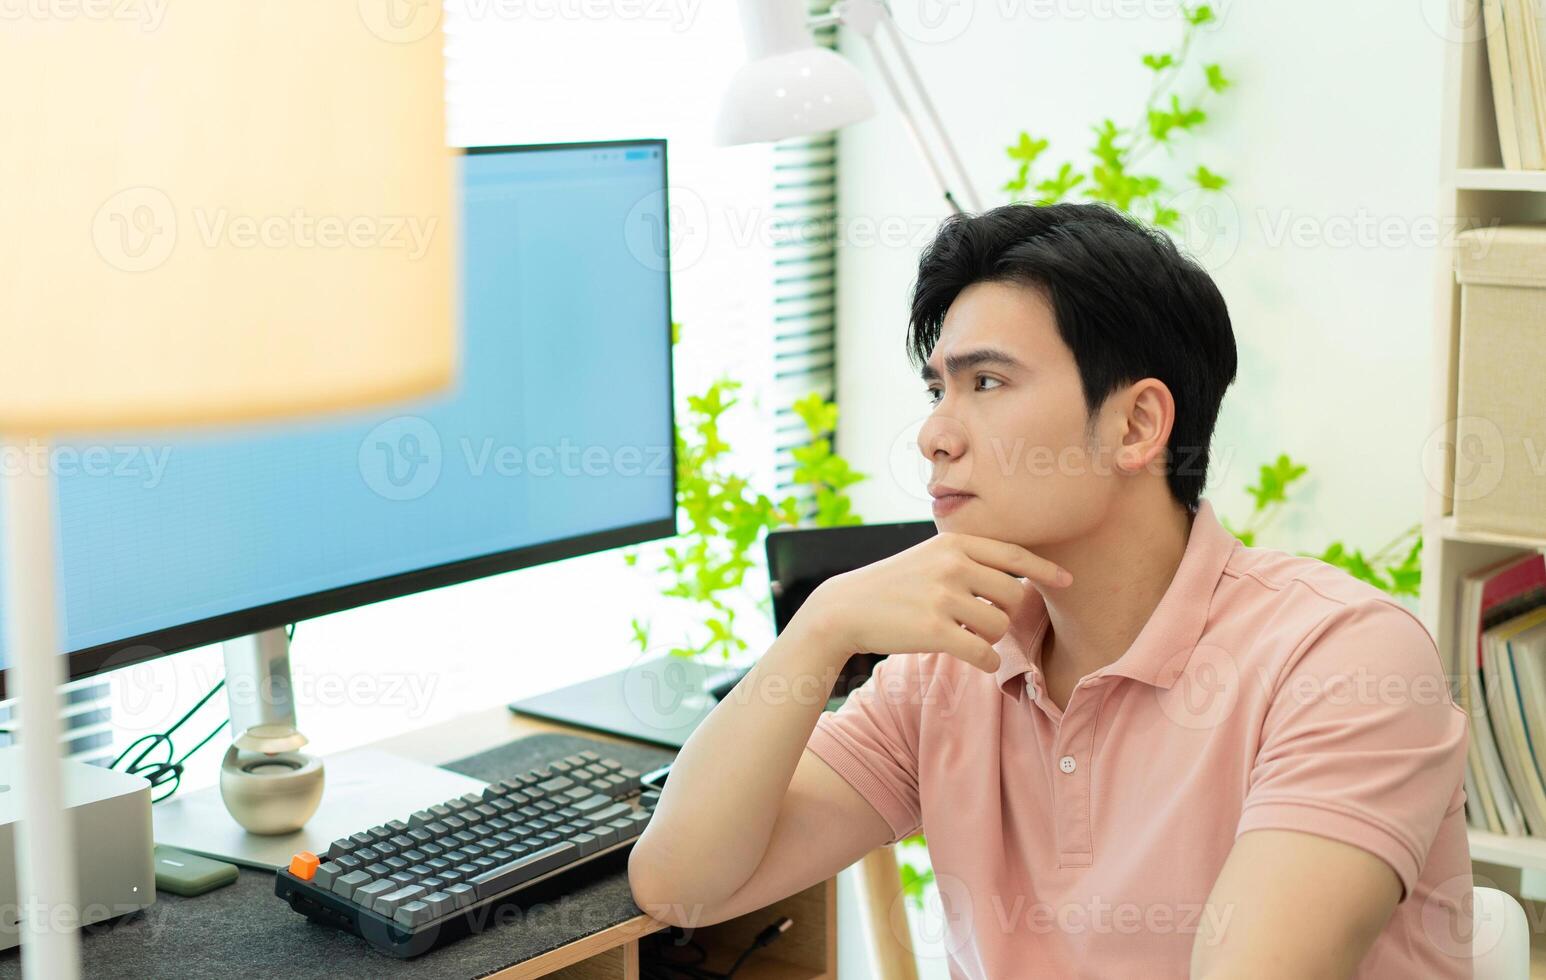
(726, 519)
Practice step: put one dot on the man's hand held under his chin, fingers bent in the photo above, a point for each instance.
(930, 599)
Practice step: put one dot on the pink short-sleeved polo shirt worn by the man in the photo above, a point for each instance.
(1267, 692)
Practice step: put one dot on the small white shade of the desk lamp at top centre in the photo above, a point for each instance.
(789, 87)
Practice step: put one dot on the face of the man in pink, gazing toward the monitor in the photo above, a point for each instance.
(1012, 434)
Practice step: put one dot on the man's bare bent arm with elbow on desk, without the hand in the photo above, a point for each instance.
(747, 815)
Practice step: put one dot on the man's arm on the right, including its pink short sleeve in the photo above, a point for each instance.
(1347, 795)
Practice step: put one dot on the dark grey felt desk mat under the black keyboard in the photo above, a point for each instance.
(245, 930)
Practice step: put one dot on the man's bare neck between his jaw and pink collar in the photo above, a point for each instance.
(1120, 576)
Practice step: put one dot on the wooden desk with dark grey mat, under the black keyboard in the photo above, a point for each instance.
(245, 928)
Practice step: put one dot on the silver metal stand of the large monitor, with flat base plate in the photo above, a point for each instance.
(361, 789)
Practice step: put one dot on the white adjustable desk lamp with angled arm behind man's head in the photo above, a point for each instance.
(791, 87)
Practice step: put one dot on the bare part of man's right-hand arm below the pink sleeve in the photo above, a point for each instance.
(1293, 907)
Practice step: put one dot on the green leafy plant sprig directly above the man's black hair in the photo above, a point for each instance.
(1114, 174)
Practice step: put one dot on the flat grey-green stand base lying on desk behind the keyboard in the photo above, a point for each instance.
(658, 701)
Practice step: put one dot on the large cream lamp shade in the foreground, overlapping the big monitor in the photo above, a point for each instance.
(222, 213)
